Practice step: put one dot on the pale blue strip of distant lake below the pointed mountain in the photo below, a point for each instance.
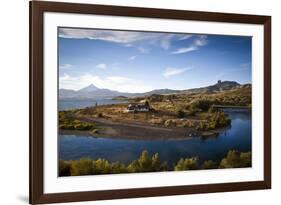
(67, 104)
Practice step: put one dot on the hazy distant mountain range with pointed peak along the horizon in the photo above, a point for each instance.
(94, 92)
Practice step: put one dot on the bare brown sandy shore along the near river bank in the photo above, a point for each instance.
(138, 131)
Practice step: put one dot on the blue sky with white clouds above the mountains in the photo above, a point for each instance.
(129, 61)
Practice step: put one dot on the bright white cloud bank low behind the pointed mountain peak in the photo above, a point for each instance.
(119, 83)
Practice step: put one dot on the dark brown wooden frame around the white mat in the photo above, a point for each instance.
(37, 9)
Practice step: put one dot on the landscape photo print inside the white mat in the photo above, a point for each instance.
(143, 101)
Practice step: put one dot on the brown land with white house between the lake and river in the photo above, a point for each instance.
(178, 115)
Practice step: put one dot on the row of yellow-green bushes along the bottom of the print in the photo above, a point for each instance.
(145, 163)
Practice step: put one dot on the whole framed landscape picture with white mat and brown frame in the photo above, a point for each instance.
(138, 102)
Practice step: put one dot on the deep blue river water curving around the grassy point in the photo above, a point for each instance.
(237, 137)
